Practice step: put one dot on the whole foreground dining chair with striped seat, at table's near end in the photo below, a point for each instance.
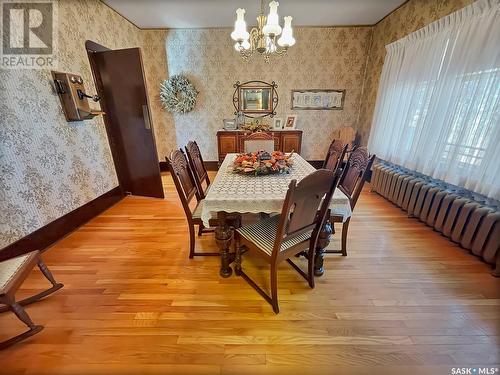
(295, 230)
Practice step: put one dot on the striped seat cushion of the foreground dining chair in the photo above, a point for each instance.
(263, 235)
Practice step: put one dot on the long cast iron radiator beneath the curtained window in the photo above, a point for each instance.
(466, 218)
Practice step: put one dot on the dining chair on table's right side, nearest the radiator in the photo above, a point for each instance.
(351, 183)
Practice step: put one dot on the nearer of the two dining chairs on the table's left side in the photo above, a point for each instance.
(186, 188)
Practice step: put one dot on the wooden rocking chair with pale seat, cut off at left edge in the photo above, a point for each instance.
(13, 272)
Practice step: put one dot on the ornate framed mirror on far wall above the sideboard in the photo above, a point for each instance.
(255, 98)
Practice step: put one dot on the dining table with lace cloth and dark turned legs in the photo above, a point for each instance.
(232, 193)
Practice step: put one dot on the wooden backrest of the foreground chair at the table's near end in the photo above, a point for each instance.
(305, 207)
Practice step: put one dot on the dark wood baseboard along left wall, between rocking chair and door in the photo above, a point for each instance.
(59, 228)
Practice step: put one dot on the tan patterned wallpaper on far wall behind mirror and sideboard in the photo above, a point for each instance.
(328, 58)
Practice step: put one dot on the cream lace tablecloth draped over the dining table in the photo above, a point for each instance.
(231, 192)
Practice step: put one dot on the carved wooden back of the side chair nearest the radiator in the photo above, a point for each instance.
(355, 173)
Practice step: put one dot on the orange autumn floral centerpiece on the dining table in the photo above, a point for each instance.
(263, 163)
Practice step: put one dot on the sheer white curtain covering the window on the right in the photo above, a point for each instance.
(438, 104)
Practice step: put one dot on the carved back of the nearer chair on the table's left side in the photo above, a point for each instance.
(183, 179)
